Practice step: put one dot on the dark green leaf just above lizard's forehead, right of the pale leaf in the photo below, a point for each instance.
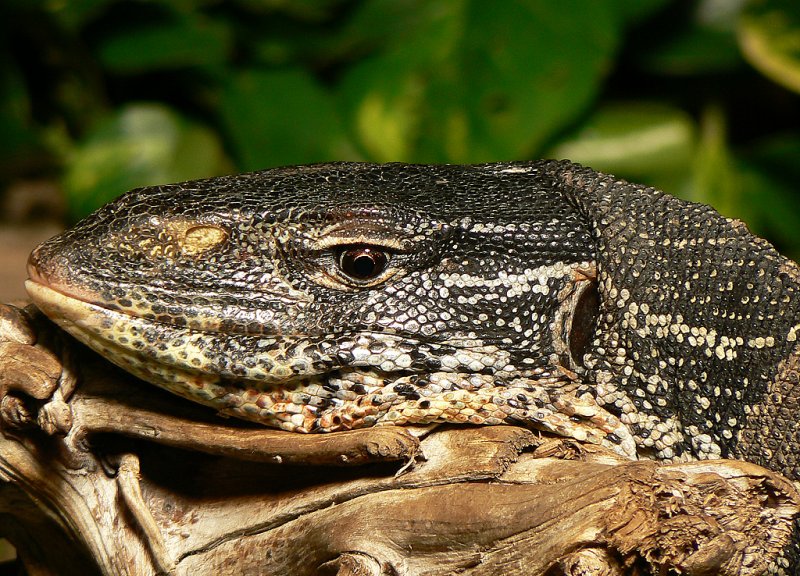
(281, 117)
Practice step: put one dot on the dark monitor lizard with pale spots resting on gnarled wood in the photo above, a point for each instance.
(334, 296)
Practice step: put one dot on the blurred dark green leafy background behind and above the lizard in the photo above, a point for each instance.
(699, 98)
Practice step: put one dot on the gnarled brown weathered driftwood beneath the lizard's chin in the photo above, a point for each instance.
(102, 474)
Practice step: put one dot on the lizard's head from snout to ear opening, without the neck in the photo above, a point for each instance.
(337, 295)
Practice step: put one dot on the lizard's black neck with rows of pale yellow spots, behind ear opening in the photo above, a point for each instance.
(696, 314)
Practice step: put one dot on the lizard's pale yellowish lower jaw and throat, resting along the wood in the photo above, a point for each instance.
(466, 399)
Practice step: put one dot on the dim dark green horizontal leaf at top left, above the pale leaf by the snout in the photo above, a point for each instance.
(188, 40)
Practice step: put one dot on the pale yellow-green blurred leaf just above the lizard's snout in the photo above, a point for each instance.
(140, 145)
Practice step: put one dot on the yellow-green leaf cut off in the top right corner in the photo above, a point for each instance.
(769, 35)
